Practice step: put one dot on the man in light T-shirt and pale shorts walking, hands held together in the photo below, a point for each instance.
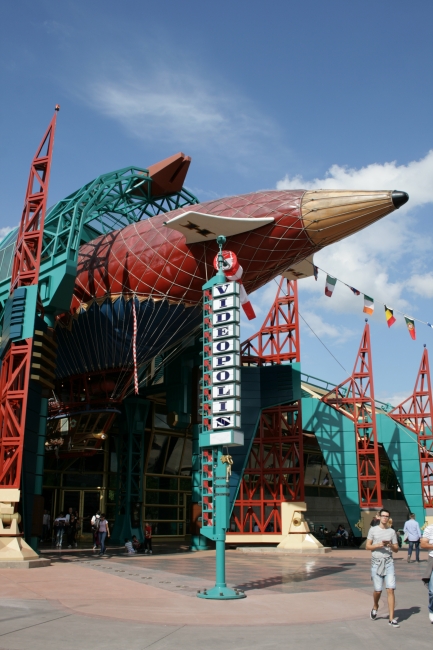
(382, 542)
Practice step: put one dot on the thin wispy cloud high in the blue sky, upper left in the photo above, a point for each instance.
(183, 108)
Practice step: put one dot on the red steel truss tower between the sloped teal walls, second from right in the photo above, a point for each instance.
(355, 398)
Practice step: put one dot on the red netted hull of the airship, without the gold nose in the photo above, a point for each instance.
(152, 260)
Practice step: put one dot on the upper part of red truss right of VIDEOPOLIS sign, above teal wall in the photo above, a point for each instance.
(278, 338)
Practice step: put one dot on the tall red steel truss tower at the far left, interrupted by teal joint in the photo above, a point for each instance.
(15, 369)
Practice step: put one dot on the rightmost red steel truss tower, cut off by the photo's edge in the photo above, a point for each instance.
(416, 414)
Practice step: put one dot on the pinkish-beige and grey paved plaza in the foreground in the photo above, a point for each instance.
(146, 601)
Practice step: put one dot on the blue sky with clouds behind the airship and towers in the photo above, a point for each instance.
(285, 94)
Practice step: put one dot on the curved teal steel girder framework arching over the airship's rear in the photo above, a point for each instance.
(110, 202)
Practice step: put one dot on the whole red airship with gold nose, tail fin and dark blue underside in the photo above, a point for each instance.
(160, 263)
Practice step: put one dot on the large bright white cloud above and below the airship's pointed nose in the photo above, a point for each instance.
(384, 260)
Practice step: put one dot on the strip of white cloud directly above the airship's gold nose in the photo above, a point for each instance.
(414, 178)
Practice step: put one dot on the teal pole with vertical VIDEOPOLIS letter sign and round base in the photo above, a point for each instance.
(221, 414)
